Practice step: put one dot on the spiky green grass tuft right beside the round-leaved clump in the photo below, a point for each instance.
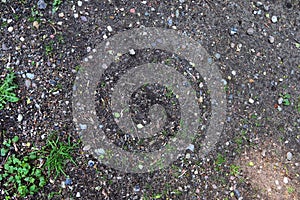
(57, 153)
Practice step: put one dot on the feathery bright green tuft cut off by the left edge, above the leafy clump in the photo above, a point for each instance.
(6, 90)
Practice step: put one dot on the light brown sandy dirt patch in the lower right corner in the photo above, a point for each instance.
(267, 167)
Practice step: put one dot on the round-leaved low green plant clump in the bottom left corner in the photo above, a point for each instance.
(20, 176)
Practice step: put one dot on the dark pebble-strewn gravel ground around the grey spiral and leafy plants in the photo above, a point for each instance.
(256, 46)
